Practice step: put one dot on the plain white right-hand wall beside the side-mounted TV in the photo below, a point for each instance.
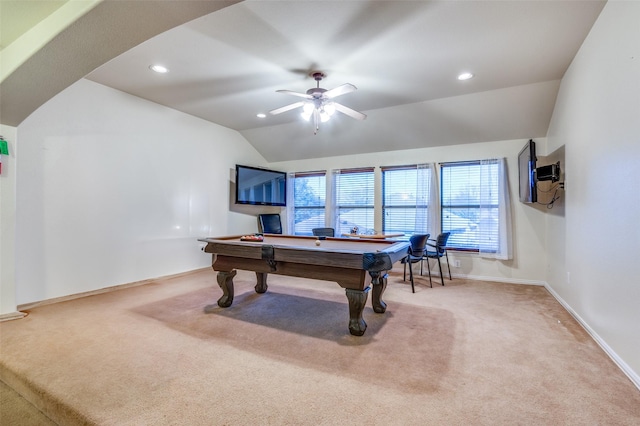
(597, 119)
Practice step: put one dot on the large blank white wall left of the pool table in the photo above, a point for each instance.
(112, 189)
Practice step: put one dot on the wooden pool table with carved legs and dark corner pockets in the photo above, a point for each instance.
(352, 263)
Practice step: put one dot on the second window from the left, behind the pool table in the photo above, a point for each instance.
(354, 199)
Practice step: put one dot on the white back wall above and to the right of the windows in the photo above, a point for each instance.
(529, 263)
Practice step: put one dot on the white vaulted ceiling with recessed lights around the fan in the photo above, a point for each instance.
(403, 56)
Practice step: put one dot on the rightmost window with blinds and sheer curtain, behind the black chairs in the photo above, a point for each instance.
(475, 206)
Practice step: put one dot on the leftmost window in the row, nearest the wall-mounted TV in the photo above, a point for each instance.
(309, 192)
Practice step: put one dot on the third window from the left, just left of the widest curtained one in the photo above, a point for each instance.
(406, 197)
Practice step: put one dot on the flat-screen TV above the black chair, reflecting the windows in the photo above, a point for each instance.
(260, 187)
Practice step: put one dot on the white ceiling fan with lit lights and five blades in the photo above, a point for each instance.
(319, 102)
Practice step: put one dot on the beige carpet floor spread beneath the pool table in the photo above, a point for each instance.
(164, 353)
